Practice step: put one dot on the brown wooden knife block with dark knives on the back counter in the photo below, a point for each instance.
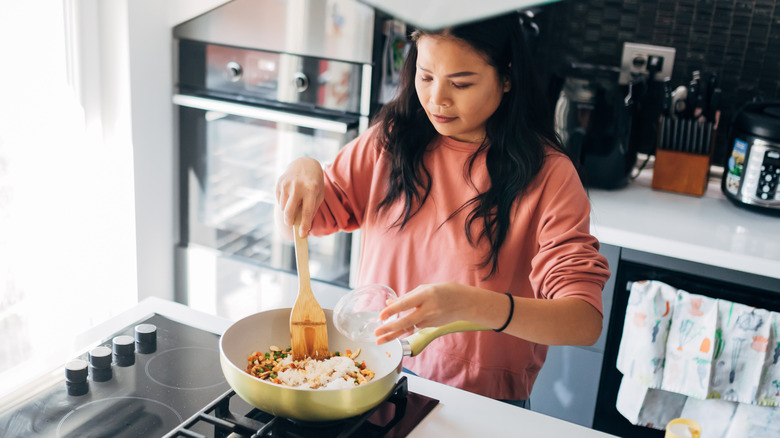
(678, 169)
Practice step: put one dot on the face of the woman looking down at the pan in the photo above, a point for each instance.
(457, 88)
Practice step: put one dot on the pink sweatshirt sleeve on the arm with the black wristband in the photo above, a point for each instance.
(568, 262)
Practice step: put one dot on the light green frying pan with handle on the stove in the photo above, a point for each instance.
(259, 331)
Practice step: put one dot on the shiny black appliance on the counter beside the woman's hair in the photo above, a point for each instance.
(594, 118)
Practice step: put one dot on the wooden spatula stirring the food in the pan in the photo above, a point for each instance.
(308, 329)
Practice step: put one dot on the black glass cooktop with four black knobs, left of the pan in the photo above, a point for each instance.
(141, 382)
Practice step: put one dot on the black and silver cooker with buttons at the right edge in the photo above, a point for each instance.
(752, 171)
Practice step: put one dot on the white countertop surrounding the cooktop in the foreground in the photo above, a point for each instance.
(458, 413)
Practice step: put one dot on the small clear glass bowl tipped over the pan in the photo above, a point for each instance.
(356, 314)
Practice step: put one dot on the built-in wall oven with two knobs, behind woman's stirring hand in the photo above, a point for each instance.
(233, 150)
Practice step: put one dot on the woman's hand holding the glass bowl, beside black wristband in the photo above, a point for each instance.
(428, 305)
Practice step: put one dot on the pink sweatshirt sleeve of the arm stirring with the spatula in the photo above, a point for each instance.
(348, 181)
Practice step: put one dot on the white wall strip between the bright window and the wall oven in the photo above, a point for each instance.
(150, 60)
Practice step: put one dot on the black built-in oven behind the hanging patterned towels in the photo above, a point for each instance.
(725, 284)
